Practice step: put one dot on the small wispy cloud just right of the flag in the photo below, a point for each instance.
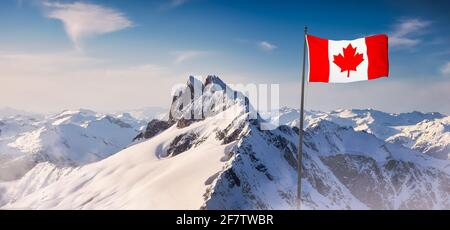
(406, 32)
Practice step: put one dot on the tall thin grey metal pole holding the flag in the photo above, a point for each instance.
(300, 144)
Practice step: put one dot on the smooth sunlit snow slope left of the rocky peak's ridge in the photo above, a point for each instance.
(139, 177)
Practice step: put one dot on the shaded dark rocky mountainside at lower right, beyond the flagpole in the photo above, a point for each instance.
(378, 185)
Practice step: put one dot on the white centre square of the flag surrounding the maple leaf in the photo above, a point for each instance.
(337, 47)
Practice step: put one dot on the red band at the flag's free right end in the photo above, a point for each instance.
(377, 53)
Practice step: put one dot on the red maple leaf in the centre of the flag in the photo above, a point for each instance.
(349, 61)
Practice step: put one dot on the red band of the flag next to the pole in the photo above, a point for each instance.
(319, 66)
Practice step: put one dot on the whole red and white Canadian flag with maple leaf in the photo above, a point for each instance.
(347, 60)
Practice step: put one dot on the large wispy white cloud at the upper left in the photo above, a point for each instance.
(84, 20)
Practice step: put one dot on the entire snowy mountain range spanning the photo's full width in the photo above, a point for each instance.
(224, 159)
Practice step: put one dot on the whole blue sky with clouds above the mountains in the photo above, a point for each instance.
(128, 54)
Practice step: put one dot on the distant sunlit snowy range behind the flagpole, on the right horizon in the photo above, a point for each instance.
(425, 132)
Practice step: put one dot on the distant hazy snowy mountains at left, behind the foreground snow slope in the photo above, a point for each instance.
(70, 138)
